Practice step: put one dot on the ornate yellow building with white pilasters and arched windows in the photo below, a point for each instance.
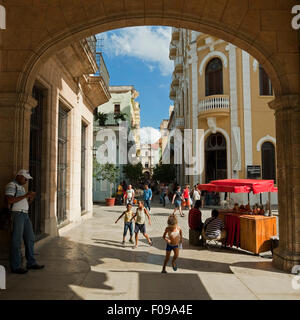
(221, 89)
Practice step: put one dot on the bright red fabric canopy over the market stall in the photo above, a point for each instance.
(239, 186)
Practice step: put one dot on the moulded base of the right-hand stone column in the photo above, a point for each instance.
(285, 260)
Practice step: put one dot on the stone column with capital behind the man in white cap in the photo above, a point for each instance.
(15, 111)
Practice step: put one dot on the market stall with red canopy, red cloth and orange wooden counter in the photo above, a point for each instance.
(249, 229)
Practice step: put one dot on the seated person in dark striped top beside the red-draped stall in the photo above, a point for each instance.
(214, 228)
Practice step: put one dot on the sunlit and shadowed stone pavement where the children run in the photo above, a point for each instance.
(89, 262)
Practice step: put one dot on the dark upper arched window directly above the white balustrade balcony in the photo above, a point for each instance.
(214, 77)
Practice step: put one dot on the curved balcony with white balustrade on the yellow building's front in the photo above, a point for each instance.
(217, 105)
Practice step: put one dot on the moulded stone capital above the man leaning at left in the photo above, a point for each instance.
(17, 100)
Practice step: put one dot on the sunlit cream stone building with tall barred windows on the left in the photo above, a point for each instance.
(60, 140)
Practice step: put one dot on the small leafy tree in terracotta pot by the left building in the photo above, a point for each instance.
(107, 172)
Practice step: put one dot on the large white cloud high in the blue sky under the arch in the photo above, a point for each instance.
(150, 44)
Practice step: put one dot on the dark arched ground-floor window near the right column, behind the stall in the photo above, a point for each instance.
(268, 161)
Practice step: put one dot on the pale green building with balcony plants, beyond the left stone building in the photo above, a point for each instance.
(121, 106)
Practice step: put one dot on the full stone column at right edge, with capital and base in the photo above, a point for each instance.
(287, 114)
